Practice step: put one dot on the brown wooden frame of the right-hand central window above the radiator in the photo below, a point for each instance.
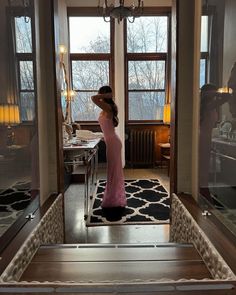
(150, 56)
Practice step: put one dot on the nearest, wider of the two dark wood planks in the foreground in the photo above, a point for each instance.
(115, 271)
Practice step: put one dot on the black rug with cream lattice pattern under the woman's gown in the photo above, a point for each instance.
(147, 203)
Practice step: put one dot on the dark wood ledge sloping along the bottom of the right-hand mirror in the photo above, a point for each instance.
(220, 236)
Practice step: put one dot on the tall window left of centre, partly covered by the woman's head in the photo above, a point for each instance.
(91, 56)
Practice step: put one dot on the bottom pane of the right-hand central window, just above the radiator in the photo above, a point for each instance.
(146, 105)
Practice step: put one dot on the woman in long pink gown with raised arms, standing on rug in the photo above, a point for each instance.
(114, 196)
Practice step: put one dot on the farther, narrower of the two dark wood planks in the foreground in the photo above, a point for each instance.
(114, 254)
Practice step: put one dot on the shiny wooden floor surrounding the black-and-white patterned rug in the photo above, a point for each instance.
(77, 232)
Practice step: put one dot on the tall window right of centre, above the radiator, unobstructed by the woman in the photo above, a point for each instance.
(146, 64)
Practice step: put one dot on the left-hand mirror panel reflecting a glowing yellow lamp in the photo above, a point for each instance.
(19, 162)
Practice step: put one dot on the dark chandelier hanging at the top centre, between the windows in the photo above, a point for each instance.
(119, 11)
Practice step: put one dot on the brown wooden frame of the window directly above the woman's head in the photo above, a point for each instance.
(92, 12)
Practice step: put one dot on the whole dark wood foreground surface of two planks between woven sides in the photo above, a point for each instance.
(116, 263)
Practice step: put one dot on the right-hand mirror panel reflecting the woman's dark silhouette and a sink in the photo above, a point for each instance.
(217, 141)
